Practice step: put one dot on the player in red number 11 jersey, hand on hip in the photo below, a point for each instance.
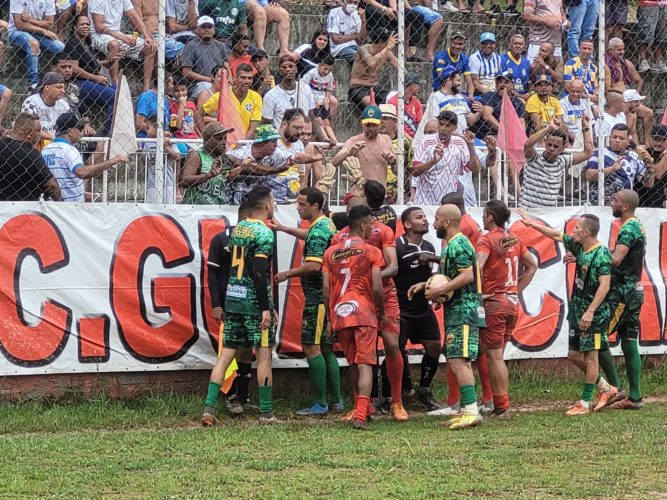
(499, 255)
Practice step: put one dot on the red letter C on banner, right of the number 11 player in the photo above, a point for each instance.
(539, 331)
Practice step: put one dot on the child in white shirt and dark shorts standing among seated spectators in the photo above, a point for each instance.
(321, 81)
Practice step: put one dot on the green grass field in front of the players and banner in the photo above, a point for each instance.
(153, 448)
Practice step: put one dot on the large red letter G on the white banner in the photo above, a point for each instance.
(157, 235)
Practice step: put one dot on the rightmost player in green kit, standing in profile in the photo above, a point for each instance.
(625, 300)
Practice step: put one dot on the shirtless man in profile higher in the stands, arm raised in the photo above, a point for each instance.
(368, 63)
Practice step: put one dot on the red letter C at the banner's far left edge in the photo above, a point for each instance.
(31, 235)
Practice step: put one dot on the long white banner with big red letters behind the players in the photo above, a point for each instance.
(112, 288)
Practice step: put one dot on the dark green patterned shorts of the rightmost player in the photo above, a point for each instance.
(625, 302)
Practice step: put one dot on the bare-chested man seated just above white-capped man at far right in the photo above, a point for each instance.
(620, 75)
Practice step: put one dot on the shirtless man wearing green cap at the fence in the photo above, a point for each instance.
(371, 148)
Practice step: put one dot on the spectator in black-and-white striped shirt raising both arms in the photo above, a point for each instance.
(543, 173)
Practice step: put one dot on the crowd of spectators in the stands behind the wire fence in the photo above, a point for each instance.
(218, 67)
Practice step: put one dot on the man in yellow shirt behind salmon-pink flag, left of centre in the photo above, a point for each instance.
(247, 102)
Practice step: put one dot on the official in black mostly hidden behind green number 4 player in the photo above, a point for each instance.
(219, 257)
